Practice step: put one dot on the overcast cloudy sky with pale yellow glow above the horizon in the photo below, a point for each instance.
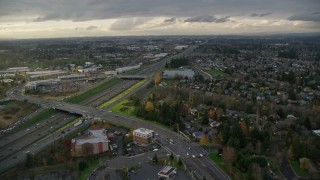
(76, 18)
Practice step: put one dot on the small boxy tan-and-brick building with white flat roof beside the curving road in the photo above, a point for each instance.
(143, 137)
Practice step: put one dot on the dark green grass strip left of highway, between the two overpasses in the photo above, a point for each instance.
(93, 91)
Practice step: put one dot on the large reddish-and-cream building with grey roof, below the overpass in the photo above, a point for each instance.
(95, 142)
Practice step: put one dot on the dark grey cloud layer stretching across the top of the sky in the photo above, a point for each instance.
(84, 10)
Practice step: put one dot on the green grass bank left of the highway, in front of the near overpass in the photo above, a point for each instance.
(35, 119)
